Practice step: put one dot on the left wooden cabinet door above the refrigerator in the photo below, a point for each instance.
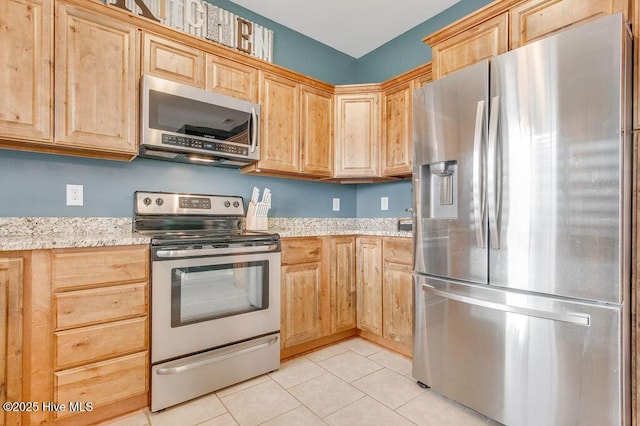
(482, 41)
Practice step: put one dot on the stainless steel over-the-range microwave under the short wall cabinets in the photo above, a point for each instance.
(191, 125)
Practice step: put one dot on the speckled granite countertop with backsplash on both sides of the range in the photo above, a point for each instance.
(46, 233)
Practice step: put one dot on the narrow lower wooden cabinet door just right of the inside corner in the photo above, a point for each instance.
(369, 284)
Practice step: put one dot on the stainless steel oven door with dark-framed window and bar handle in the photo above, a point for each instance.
(200, 303)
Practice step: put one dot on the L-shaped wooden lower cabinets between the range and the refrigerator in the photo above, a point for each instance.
(339, 286)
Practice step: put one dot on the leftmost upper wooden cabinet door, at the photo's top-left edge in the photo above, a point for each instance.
(26, 48)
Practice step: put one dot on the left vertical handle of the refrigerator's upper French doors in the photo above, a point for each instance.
(478, 176)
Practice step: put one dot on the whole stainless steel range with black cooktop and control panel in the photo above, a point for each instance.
(215, 295)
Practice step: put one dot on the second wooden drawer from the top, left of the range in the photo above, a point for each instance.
(92, 306)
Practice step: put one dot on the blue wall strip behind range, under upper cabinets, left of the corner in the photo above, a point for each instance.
(35, 185)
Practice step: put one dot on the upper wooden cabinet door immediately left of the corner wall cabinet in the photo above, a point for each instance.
(317, 131)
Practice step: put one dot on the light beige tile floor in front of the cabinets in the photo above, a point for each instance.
(351, 383)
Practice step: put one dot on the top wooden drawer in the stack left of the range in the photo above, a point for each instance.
(86, 267)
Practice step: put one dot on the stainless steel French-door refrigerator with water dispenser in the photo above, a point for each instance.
(522, 205)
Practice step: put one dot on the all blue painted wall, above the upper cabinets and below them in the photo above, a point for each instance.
(34, 184)
